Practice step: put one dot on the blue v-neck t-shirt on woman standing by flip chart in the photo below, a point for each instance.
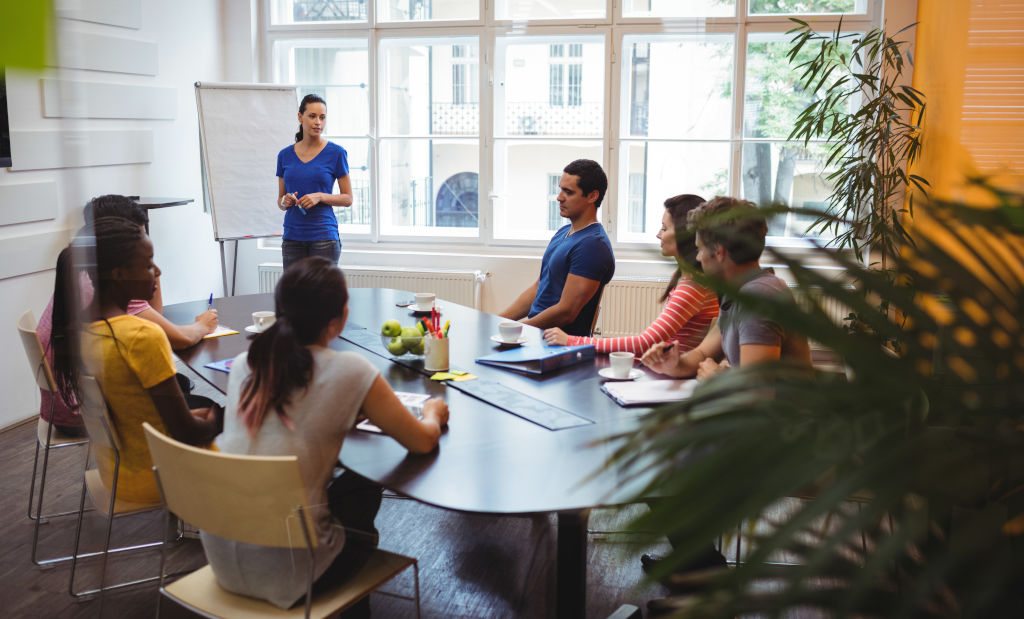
(318, 175)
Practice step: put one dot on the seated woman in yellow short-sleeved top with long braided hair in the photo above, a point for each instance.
(130, 357)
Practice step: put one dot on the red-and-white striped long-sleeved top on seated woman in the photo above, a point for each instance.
(685, 320)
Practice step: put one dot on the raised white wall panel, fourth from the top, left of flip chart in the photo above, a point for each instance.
(51, 150)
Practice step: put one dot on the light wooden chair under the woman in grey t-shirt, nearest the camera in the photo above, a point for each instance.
(255, 501)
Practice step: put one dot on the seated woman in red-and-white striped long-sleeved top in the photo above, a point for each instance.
(690, 309)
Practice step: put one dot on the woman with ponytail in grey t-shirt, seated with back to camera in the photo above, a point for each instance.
(292, 395)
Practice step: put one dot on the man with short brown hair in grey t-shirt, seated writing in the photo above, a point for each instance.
(731, 237)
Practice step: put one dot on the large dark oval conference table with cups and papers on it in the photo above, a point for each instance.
(489, 462)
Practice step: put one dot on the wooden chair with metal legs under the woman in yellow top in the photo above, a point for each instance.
(104, 443)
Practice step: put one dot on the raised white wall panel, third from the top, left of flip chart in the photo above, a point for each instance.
(67, 99)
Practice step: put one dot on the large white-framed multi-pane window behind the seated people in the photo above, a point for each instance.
(459, 115)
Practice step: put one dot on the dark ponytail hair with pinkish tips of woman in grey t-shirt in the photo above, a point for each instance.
(309, 297)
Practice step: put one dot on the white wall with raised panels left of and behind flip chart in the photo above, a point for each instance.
(188, 37)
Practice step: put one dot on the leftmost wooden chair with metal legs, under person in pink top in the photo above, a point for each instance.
(48, 437)
